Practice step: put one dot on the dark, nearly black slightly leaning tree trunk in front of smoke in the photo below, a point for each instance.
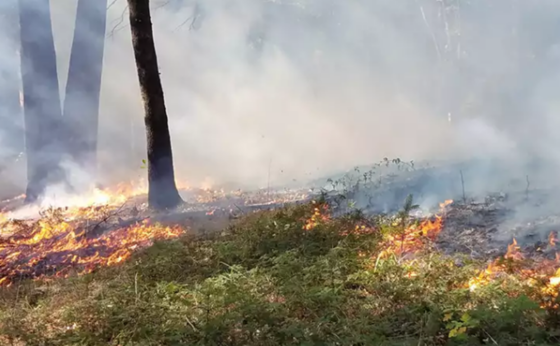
(163, 192)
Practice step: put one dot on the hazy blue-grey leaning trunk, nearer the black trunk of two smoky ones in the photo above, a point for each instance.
(81, 103)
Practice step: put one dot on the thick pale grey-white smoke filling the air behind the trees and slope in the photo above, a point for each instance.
(267, 92)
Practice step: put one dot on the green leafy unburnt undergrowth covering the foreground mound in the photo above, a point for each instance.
(269, 281)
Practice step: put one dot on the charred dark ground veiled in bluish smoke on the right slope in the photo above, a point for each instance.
(493, 202)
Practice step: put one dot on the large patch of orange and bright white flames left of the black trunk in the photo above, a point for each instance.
(67, 240)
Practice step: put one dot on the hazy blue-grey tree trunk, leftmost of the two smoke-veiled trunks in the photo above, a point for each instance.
(42, 111)
